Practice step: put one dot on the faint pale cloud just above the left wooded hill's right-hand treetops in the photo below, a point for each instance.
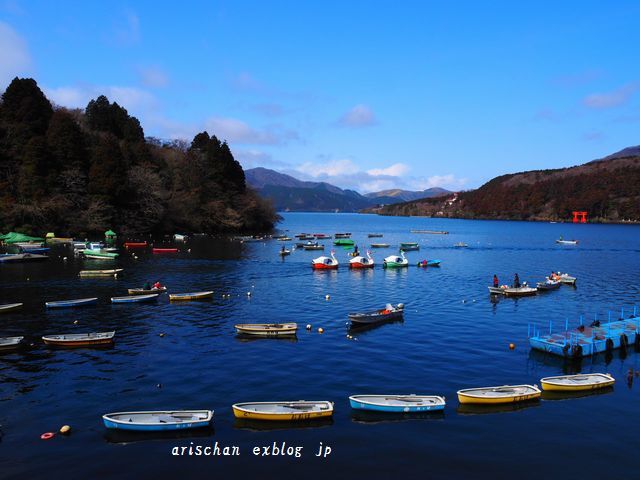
(237, 131)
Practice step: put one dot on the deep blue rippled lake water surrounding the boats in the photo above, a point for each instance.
(453, 336)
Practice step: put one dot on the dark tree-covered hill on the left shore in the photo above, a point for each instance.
(79, 172)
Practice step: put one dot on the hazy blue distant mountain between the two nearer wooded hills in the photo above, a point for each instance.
(289, 193)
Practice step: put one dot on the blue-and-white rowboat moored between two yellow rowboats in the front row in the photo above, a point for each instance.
(397, 403)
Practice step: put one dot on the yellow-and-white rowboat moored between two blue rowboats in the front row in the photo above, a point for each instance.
(283, 411)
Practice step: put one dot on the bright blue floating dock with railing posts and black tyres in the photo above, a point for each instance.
(587, 340)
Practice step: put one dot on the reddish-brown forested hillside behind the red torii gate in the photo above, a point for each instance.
(608, 189)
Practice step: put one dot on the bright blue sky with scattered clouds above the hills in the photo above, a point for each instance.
(367, 95)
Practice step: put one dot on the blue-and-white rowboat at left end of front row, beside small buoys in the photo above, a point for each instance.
(158, 420)
